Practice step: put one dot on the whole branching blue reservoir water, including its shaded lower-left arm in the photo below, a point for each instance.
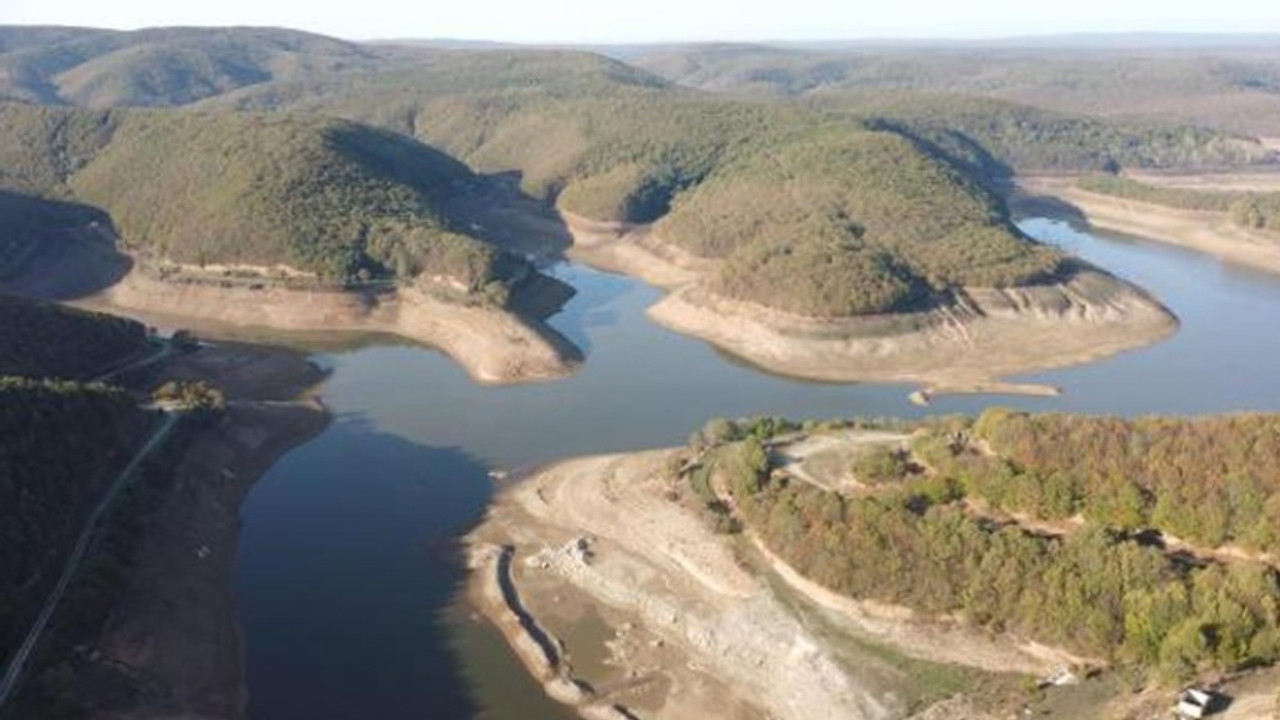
(349, 576)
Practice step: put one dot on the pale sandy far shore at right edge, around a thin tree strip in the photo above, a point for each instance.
(1208, 233)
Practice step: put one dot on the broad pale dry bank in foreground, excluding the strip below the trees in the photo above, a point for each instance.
(706, 641)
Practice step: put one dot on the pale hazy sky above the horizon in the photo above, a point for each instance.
(666, 20)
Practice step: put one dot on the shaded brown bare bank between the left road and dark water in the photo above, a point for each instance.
(172, 645)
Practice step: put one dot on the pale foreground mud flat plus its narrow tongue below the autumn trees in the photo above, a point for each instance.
(691, 631)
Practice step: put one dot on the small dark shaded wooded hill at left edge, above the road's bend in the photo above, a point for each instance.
(40, 340)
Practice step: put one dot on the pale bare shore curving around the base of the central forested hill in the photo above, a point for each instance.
(966, 347)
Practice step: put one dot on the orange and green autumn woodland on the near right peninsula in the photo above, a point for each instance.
(1049, 527)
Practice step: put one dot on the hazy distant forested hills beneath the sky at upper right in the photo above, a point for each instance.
(1233, 89)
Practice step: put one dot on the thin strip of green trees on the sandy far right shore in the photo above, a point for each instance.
(1251, 211)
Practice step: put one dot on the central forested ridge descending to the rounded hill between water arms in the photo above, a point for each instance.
(808, 212)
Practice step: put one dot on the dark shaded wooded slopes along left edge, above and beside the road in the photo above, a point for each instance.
(62, 441)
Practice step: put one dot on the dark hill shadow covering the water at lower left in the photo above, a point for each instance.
(349, 571)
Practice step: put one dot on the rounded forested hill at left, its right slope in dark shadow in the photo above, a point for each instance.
(330, 198)
